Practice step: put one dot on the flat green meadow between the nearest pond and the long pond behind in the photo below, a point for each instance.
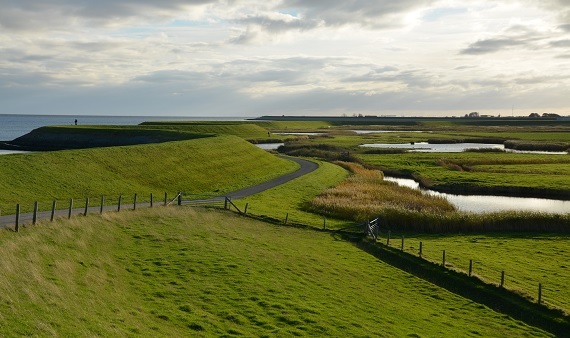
(441, 170)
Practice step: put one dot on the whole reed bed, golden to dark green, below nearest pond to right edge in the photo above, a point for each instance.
(365, 195)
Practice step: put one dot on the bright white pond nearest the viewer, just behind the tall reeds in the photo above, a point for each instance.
(490, 203)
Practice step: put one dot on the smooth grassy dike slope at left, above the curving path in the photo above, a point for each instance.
(212, 165)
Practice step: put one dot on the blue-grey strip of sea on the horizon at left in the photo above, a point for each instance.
(14, 126)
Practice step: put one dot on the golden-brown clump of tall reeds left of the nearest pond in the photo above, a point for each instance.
(365, 195)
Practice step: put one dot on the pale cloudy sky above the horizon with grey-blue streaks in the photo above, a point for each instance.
(244, 58)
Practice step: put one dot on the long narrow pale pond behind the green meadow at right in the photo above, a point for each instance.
(450, 148)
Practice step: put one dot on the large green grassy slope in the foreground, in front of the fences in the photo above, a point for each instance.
(169, 272)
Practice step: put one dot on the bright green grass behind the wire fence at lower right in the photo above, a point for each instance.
(527, 259)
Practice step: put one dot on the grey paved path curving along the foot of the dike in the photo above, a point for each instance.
(26, 218)
